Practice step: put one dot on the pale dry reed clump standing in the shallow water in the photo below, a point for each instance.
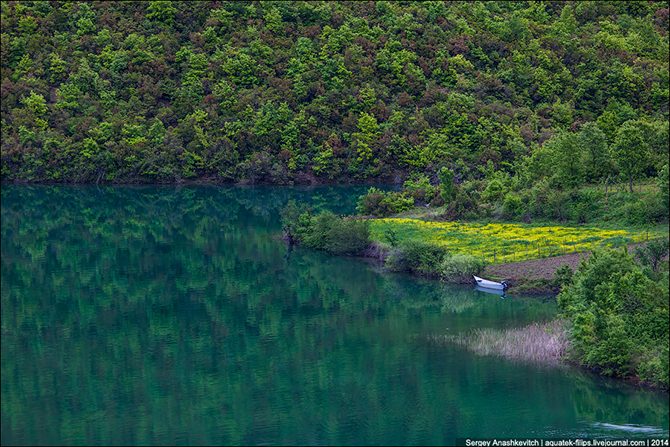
(539, 342)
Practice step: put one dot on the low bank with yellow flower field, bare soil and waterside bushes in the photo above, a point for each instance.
(454, 251)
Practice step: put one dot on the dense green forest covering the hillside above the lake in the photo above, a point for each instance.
(566, 93)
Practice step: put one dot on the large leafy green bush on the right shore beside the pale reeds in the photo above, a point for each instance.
(619, 317)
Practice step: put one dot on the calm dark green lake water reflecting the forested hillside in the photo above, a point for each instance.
(175, 316)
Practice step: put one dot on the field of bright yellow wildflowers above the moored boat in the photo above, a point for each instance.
(501, 242)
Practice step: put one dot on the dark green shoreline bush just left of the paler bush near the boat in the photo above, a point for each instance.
(416, 257)
